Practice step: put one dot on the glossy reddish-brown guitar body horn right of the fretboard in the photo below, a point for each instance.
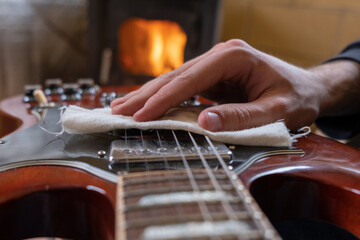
(323, 184)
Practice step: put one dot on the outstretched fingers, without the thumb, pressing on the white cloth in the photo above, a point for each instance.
(229, 61)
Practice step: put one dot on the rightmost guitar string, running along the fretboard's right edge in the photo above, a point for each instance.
(240, 193)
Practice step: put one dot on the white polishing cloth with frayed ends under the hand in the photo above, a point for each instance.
(78, 120)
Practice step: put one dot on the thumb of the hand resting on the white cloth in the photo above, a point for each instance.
(230, 117)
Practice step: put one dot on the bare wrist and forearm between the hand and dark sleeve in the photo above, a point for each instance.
(340, 94)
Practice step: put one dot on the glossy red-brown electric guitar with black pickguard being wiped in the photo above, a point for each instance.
(132, 184)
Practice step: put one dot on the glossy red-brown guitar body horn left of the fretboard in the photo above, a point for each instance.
(56, 201)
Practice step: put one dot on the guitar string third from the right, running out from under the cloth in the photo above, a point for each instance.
(203, 207)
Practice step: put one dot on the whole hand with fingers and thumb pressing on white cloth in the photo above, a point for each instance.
(256, 89)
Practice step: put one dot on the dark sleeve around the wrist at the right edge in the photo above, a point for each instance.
(343, 127)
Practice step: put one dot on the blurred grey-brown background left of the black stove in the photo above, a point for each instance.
(40, 39)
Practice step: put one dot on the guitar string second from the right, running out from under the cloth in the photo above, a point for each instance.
(226, 205)
